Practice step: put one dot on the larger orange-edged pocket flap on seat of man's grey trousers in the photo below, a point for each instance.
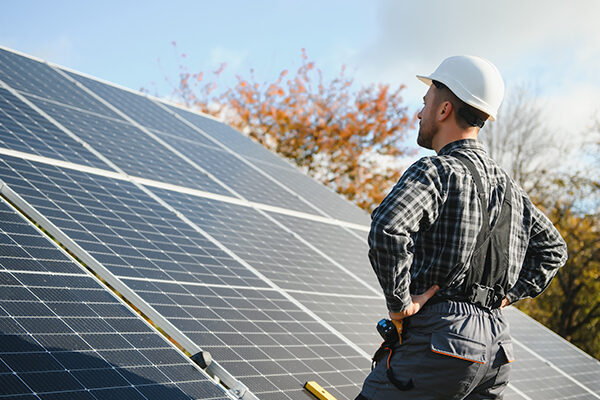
(457, 346)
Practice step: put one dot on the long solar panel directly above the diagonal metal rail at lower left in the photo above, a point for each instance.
(216, 303)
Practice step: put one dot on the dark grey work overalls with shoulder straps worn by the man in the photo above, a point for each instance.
(457, 347)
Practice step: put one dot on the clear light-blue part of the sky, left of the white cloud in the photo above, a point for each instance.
(122, 41)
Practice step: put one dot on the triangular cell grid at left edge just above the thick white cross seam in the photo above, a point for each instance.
(23, 129)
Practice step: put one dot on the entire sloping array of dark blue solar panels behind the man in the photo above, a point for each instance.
(224, 245)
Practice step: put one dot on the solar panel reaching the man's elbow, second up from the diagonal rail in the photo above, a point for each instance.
(324, 288)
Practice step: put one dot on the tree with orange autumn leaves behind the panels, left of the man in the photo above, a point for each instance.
(344, 137)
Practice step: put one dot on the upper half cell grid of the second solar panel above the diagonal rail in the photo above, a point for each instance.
(270, 249)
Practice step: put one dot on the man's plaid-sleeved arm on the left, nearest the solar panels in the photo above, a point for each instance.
(412, 204)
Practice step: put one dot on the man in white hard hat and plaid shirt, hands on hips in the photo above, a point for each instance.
(454, 242)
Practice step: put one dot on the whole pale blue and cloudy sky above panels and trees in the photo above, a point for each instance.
(551, 45)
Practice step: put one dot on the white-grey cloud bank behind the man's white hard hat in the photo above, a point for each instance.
(545, 40)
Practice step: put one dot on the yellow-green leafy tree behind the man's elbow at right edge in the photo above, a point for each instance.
(571, 304)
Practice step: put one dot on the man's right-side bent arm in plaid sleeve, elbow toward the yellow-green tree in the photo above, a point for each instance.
(546, 253)
